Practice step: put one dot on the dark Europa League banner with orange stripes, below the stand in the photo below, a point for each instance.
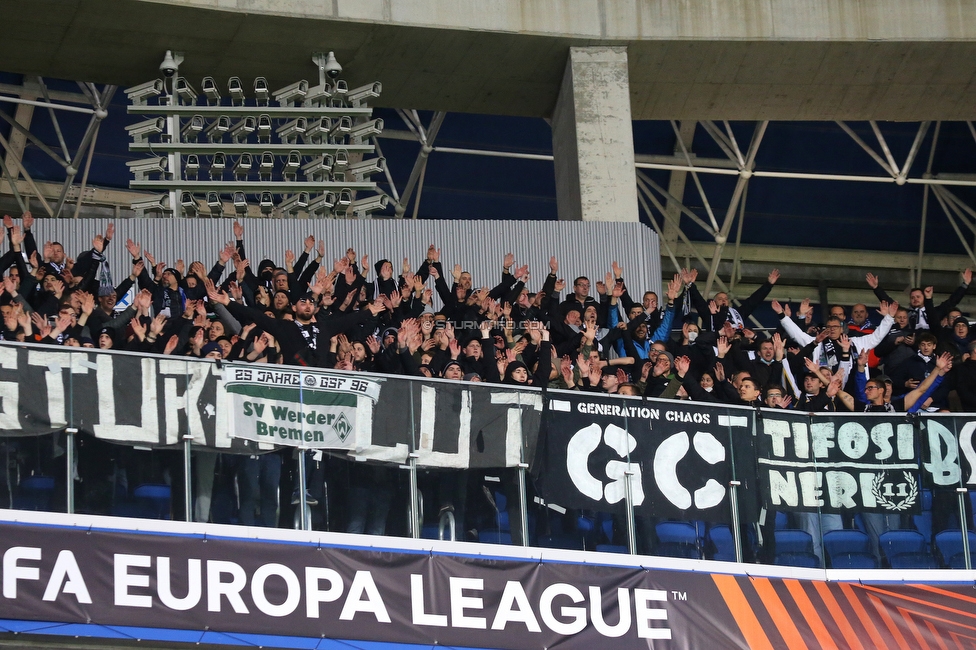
(301, 593)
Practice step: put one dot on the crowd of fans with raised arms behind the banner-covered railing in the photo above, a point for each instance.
(350, 315)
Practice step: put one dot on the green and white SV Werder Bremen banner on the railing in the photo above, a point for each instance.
(301, 408)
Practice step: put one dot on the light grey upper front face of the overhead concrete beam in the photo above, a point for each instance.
(845, 20)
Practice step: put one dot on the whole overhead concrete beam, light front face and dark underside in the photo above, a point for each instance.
(698, 59)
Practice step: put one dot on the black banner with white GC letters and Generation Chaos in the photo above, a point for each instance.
(680, 454)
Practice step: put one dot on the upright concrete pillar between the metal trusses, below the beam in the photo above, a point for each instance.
(593, 139)
